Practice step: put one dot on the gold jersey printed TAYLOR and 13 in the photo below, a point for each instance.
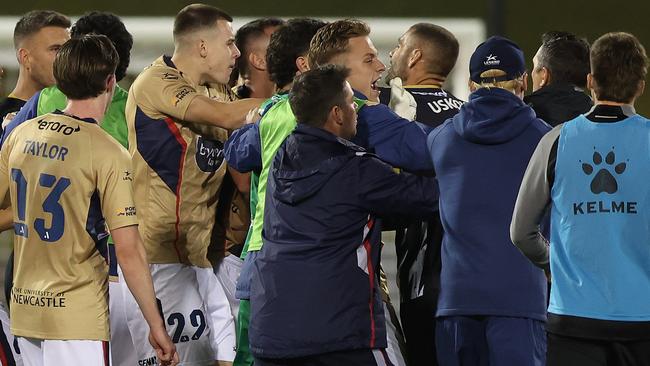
(69, 183)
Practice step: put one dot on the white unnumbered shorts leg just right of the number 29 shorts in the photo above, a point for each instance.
(222, 323)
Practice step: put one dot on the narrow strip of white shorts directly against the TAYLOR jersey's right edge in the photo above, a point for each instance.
(122, 349)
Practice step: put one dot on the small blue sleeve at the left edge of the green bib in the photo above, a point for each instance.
(243, 150)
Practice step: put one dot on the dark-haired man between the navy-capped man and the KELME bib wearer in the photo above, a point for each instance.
(560, 69)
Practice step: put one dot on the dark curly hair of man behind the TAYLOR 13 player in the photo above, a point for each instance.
(111, 26)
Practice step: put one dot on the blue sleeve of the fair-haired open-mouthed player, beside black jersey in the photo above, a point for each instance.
(396, 140)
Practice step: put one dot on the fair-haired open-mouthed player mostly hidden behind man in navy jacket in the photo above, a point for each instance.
(345, 42)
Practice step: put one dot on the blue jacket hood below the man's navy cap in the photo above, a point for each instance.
(492, 116)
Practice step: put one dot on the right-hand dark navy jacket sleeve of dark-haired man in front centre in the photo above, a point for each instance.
(384, 192)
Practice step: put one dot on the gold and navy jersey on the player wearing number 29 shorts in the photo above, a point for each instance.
(178, 166)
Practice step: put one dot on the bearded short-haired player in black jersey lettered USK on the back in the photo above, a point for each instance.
(421, 61)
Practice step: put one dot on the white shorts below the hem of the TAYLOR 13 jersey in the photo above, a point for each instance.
(39, 352)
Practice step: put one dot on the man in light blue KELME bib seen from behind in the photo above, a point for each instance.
(591, 171)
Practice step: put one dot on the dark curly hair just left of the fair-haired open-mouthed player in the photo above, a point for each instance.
(289, 42)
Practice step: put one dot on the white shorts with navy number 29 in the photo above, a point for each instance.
(183, 312)
